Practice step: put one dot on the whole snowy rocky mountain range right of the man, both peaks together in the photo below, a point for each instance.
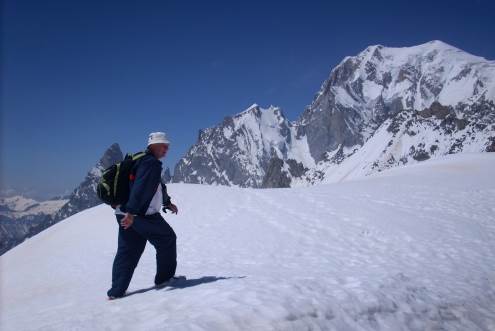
(415, 102)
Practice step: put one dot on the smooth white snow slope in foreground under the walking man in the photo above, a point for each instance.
(411, 248)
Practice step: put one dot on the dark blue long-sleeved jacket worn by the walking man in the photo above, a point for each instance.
(148, 172)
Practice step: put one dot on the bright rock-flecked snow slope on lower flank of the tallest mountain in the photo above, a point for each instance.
(399, 141)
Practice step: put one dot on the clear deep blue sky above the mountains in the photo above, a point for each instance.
(79, 75)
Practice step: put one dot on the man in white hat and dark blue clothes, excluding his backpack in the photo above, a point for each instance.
(140, 221)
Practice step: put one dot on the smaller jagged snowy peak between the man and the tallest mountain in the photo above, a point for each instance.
(238, 151)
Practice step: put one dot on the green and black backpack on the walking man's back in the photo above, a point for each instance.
(113, 187)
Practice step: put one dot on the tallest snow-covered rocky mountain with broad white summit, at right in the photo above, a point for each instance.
(415, 102)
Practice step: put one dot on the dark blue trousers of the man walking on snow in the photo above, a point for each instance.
(131, 245)
